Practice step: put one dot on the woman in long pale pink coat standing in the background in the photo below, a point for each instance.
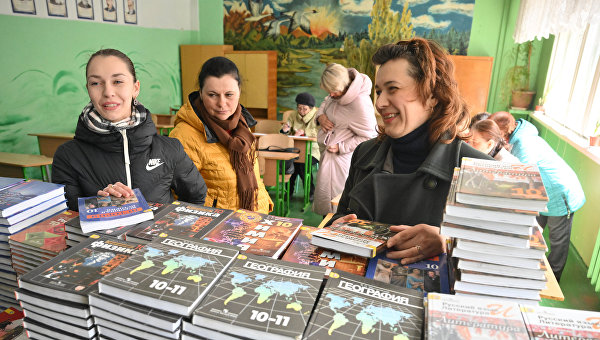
(347, 118)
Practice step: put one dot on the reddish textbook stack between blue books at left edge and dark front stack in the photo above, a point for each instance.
(39, 243)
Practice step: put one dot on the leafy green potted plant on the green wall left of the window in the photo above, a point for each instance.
(516, 81)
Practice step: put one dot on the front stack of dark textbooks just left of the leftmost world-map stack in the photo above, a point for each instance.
(55, 295)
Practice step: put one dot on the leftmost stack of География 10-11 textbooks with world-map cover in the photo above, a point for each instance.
(148, 295)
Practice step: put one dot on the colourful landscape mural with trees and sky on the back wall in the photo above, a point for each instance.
(308, 34)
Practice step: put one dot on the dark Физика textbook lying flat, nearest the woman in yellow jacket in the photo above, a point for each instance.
(180, 219)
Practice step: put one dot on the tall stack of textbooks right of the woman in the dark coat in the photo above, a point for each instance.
(498, 248)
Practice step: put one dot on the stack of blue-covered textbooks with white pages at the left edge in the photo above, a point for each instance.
(22, 204)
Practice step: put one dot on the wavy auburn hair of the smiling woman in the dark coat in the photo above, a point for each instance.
(433, 72)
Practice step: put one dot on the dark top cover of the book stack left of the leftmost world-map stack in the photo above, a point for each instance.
(82, 268)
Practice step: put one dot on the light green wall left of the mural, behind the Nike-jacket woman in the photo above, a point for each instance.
(43, 59)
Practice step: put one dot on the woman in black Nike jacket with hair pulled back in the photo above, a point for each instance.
(116, 147)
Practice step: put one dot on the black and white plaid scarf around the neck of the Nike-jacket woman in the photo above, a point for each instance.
(95, 122)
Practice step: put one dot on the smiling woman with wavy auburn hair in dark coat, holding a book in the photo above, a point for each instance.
(403, 176)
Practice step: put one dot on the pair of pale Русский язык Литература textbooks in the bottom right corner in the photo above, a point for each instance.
(466, 318)
